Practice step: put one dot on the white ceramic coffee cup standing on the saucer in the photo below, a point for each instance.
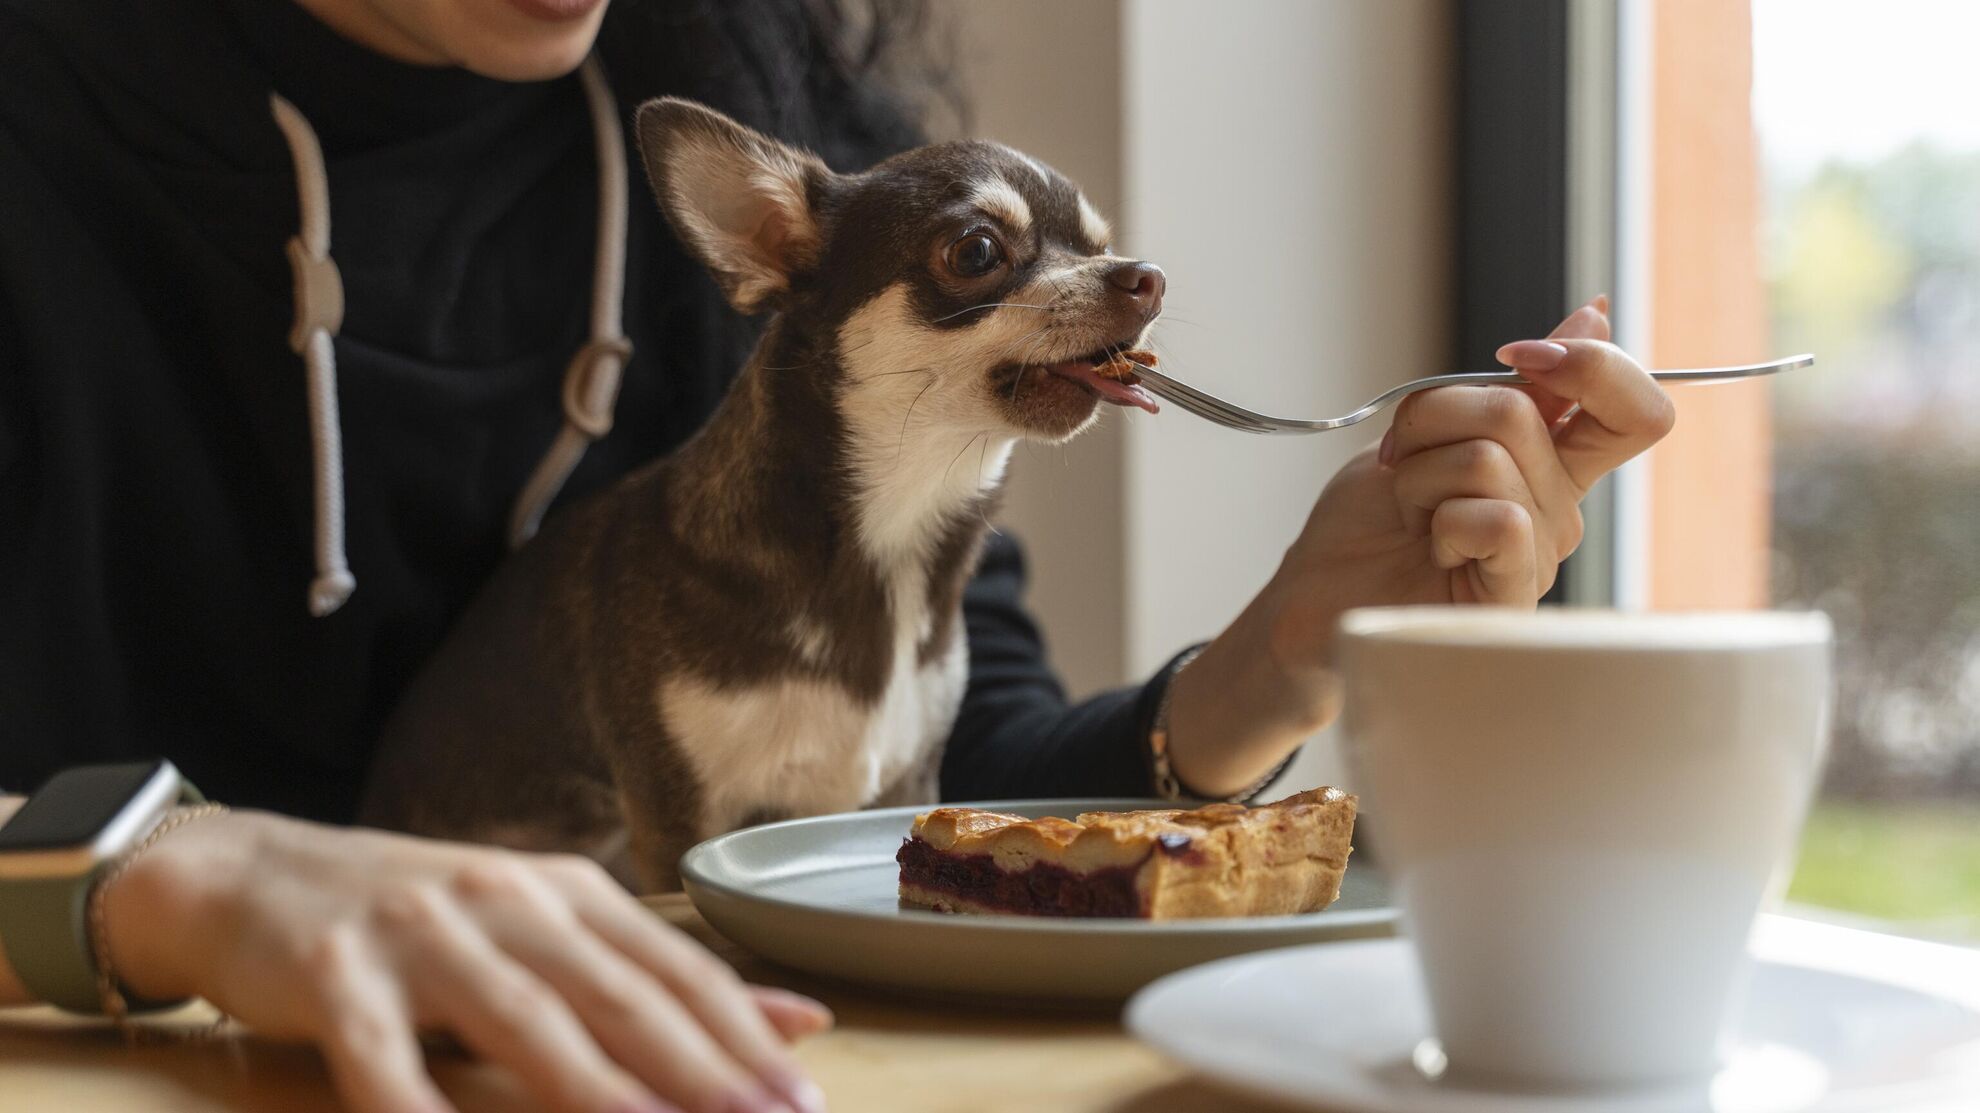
(1581, 813)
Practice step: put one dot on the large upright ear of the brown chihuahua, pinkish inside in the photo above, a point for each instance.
(736, 197)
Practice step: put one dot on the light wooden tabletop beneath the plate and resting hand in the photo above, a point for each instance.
(884, 1057)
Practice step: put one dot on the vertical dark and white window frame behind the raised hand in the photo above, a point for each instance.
(1553, 199)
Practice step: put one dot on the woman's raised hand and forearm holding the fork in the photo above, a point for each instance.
(1474, 496)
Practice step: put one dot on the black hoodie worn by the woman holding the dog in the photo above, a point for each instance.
(155, 464)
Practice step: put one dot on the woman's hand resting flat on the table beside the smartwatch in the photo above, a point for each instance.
(359, 942)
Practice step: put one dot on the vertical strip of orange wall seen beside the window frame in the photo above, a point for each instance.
(1712, 480)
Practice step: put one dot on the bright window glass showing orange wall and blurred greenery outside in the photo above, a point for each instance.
(1840, 215)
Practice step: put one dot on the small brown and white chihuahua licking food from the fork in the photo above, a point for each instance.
(767, 623)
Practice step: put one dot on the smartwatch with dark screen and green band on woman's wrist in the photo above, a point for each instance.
(54, 849)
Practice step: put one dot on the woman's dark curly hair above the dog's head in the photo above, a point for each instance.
(854, 80)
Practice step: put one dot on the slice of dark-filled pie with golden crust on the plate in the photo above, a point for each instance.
(1211, 862)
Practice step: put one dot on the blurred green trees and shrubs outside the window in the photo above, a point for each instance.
(1876, 268)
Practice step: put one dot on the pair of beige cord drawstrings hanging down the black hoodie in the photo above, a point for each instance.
(591, 381)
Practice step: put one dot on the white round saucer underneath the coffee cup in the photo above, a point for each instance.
(1343, 1027)
